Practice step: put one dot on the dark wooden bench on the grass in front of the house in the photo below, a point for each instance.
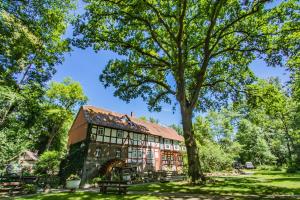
(119, 186)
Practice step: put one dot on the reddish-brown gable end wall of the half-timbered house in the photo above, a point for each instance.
(78, 131)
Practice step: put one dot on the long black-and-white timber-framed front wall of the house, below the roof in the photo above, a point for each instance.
(145, 151)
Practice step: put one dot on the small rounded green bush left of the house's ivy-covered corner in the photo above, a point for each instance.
(48, 163)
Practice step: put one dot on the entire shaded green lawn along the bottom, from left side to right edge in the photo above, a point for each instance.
(261, 183)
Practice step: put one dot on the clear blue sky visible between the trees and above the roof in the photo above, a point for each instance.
(85, 67)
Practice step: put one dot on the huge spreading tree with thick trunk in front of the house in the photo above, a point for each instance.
(195, 51)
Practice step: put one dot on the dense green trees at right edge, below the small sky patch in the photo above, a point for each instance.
(274, 109)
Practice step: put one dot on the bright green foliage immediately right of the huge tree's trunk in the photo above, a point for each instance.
(214, 134)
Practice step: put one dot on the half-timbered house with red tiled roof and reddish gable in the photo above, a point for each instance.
(109, 137)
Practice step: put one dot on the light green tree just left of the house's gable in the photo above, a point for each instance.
(62, 99)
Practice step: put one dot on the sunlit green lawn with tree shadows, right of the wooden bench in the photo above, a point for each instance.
(260, 183)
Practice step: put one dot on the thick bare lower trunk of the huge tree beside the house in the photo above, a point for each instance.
(194, 166)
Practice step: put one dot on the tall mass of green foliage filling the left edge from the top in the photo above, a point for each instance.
(31, 45)
